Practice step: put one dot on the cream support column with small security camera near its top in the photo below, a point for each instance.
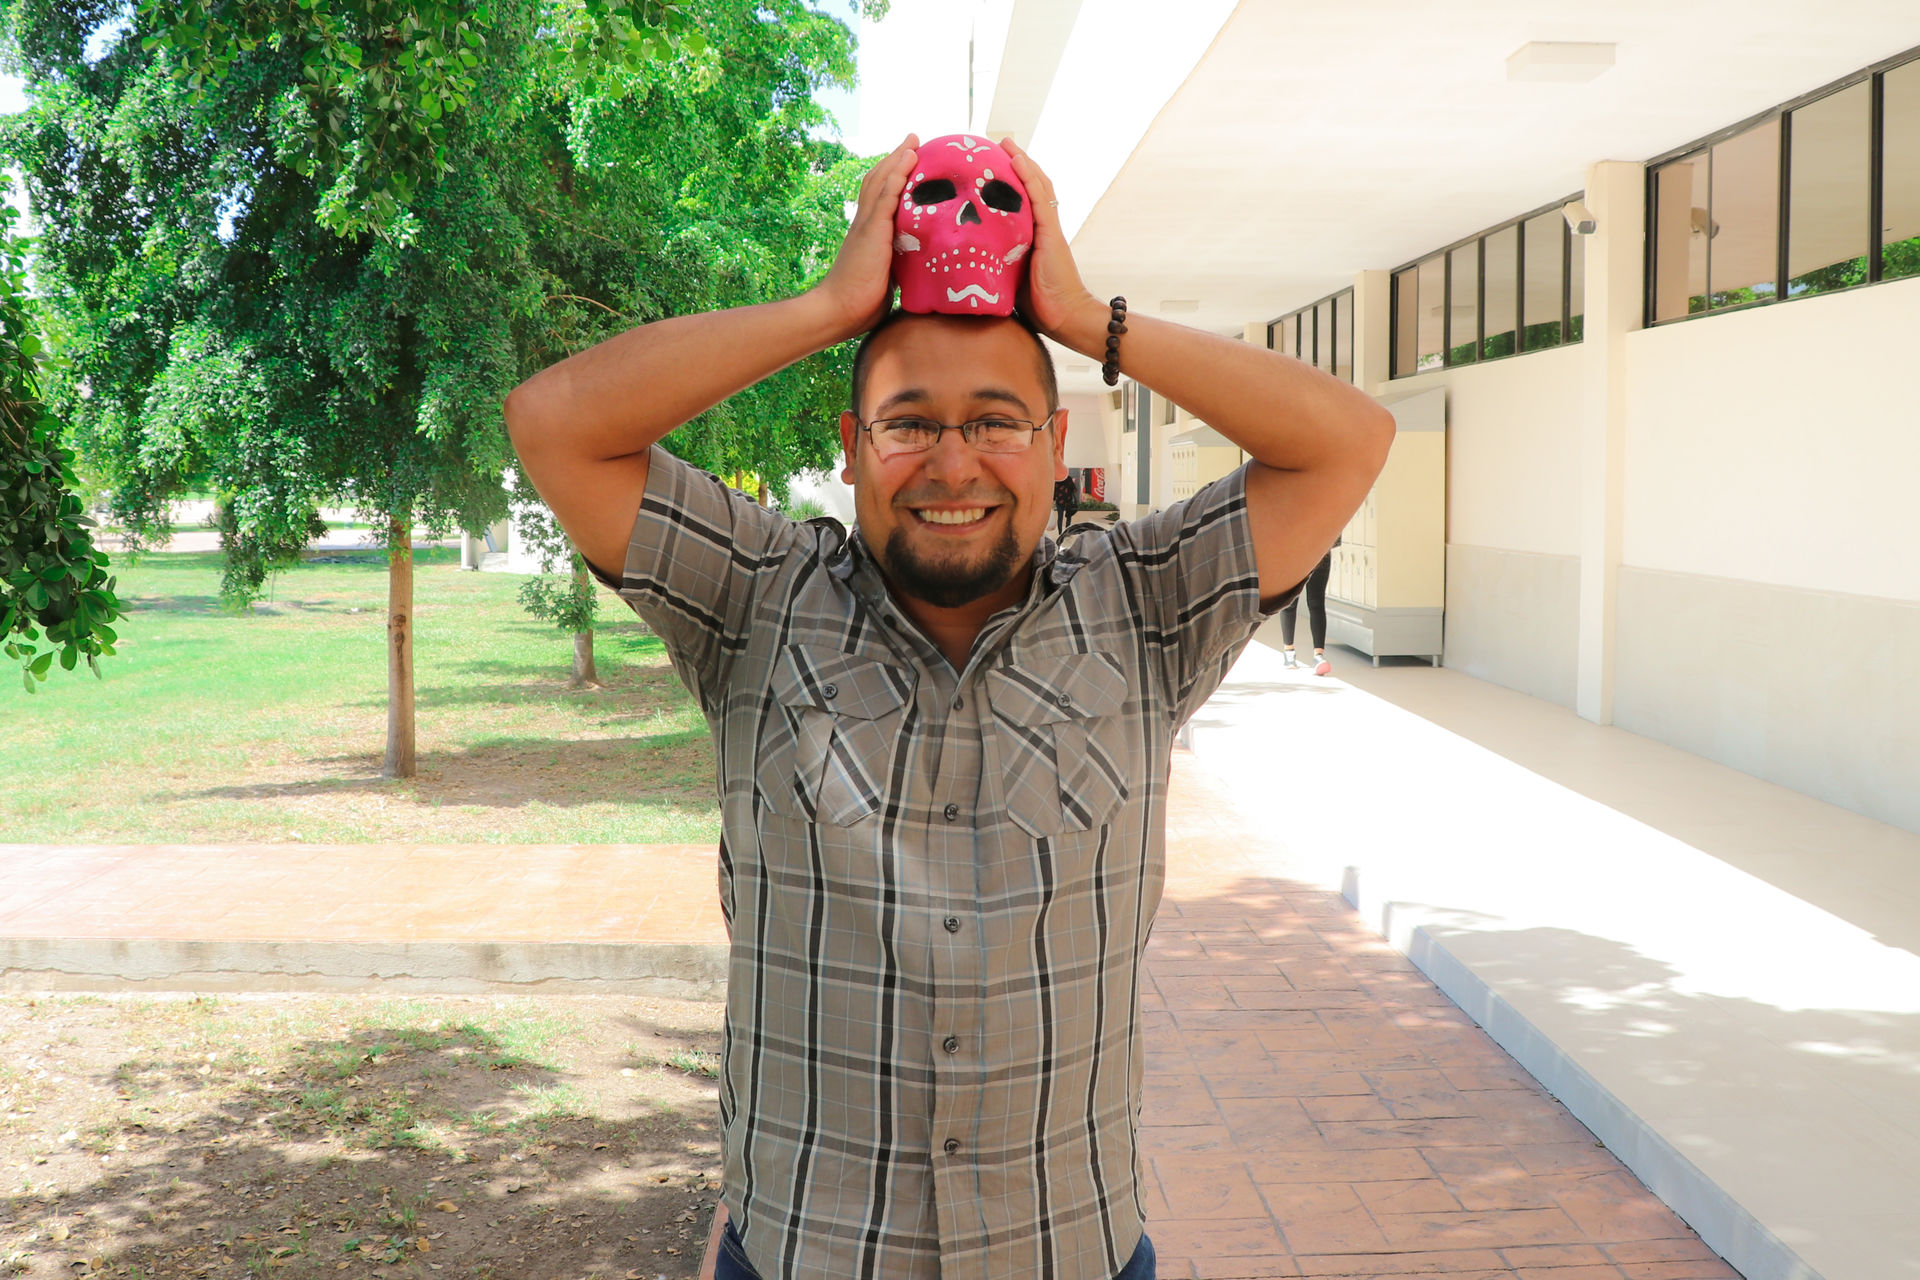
(1616, 291)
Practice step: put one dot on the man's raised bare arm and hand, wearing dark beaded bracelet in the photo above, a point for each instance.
(1318, 442)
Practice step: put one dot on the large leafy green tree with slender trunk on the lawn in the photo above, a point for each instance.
(306, 250)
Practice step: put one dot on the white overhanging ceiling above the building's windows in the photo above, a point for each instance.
(1259, 156)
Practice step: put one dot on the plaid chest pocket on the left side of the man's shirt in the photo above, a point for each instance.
(836, 734)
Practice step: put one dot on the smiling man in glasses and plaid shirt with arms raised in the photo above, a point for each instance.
(944, 742)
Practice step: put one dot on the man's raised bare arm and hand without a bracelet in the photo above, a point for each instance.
(583, 427)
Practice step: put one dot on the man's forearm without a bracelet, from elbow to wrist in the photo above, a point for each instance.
(625, 394)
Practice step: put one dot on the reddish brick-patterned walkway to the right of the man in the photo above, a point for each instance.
(1318, 1108)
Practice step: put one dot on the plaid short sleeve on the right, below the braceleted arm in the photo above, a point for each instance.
(1199, 588)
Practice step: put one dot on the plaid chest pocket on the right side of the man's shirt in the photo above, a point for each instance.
(1063, 738)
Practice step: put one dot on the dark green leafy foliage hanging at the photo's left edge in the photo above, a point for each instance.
(51, 577)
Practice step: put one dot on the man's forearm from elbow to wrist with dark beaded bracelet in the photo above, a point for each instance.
(1285, 414)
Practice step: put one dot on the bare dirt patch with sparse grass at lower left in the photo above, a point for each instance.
(487, 1137)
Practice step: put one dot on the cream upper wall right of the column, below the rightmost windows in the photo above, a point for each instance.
(1781, 446)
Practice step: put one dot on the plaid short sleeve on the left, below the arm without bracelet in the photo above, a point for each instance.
(694, 565)
